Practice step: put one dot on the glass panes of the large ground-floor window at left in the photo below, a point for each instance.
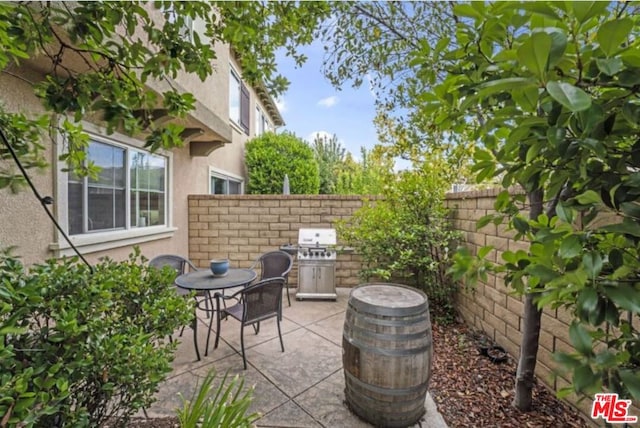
(130, 185)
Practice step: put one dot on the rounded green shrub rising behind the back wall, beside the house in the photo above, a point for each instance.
(270, 156)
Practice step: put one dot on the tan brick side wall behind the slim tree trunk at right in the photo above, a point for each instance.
(494, 308)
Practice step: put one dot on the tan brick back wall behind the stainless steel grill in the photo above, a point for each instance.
(241, 227)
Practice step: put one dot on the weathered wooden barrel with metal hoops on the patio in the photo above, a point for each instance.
(386, 353)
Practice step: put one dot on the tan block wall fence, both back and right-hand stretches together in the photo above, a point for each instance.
(241, 227)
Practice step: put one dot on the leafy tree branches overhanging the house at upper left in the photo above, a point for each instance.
(98, 56)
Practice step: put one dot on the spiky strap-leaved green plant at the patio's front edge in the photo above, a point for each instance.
(226, 407)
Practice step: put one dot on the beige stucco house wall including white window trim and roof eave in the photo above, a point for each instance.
(24, 224)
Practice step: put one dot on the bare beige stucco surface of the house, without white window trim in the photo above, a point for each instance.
(24, 224)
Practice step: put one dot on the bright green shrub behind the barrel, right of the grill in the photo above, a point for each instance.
(405, 237)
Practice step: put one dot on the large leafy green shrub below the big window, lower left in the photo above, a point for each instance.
(78, 348)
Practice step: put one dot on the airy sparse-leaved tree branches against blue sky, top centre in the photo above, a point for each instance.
(378, 43)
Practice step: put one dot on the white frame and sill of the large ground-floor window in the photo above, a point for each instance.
(104, 240)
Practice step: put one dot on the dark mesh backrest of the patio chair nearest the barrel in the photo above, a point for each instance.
(263, 299)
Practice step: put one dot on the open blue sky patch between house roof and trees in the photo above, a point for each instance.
(313, 105)
